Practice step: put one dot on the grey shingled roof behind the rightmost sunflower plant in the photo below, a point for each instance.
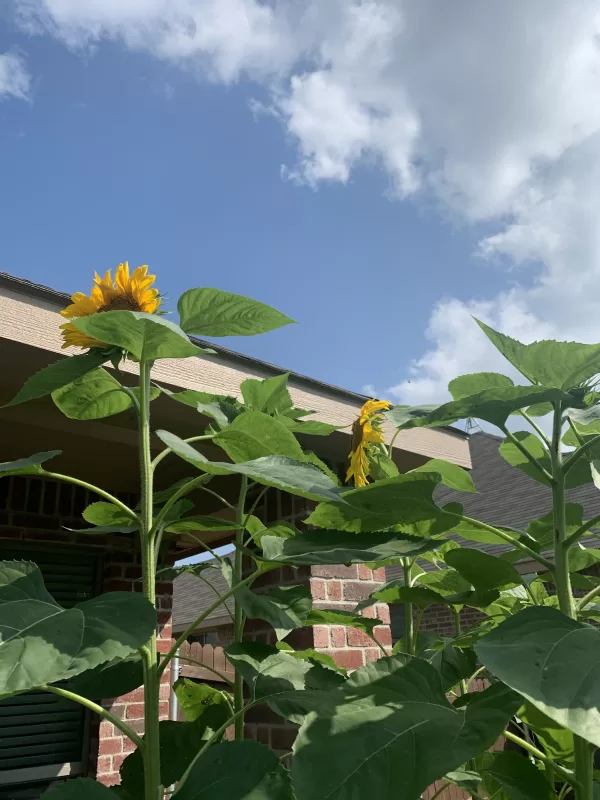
(505, 496)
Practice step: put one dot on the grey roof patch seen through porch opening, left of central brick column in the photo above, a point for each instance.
(192, 594)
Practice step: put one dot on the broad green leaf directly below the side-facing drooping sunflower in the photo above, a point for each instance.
(404, 501)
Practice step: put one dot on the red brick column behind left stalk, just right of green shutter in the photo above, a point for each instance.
(122, 573)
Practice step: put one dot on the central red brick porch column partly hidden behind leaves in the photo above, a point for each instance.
(336, 587)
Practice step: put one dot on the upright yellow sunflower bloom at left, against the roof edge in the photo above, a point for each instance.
(127, 293)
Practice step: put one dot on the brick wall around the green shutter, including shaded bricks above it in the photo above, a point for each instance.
(34, 513)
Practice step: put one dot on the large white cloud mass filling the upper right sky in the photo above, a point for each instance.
(492, 109)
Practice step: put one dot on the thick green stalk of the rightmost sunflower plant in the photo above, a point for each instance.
(584, 766)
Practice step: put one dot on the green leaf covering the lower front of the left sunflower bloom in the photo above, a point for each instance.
(146, 336)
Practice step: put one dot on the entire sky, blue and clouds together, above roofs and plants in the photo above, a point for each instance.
(411, 203)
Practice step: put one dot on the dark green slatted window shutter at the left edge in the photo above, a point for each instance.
(39, 731)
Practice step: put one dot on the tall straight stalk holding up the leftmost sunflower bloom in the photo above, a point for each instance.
(152, 781)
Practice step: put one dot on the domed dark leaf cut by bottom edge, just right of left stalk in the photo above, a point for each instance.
(236, 771)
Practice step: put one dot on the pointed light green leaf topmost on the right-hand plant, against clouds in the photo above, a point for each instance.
(559, 365)
